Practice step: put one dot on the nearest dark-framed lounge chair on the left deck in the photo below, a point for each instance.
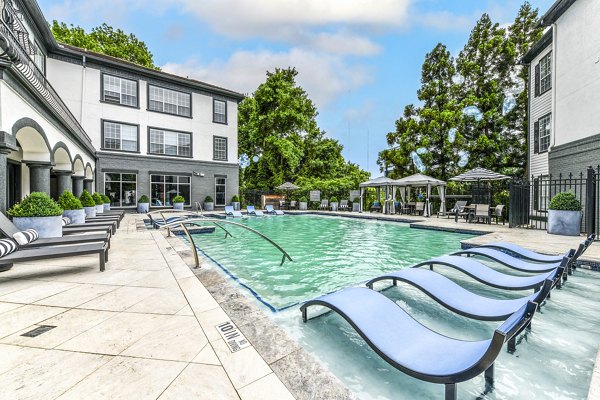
(44, 253)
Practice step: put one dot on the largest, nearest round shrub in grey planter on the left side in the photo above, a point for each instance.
(40, 212)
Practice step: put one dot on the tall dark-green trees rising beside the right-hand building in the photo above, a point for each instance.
(484, 74)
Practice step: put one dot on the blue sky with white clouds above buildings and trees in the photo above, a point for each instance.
(358, 60)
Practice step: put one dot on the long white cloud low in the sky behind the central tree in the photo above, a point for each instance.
(323, 76)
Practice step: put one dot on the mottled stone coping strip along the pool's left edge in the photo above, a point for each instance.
(304, 376)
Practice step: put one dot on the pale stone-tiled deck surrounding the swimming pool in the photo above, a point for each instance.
(146, 327)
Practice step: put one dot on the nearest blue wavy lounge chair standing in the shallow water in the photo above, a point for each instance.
(415, 349)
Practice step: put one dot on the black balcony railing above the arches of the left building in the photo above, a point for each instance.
(13, 50)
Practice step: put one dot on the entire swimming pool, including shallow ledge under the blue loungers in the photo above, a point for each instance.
(555, 360)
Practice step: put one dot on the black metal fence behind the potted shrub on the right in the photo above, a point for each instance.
(530, 199)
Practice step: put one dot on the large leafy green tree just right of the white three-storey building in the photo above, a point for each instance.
(279, 135)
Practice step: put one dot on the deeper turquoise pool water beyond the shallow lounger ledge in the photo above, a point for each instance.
(328, 253)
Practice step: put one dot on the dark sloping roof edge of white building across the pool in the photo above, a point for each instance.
(103, 59)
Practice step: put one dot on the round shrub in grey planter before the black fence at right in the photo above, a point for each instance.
(564, 215)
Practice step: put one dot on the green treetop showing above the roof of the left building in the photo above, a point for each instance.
(106, 40)
